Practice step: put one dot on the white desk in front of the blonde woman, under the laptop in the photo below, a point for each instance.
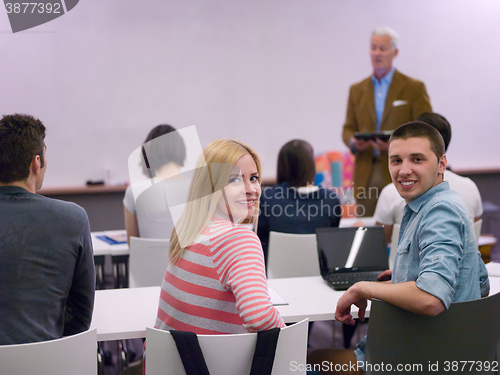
(125, 313)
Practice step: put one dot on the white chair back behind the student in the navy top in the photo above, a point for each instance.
(292, 255)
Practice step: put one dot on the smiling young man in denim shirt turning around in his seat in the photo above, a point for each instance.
(437, 259)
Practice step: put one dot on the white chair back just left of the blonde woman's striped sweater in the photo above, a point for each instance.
(148, 261)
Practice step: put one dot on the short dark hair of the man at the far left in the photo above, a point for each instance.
(21, 139)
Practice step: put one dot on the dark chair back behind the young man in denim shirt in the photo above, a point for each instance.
(467, 331)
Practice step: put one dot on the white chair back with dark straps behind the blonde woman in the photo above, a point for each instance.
(227, 354)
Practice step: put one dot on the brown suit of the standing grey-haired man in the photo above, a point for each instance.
(406, 100)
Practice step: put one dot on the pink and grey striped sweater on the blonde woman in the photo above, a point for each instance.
(219, 285)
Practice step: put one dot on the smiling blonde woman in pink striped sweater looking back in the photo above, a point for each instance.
(216, 280)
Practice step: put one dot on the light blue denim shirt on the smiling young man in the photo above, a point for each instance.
(437, 249)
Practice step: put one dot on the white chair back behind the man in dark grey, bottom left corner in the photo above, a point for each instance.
(75, 355)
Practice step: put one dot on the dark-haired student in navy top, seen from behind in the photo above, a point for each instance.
(295, 205)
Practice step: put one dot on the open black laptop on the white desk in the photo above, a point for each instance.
(349, 255)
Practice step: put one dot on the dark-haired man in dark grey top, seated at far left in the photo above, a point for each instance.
(47, 276)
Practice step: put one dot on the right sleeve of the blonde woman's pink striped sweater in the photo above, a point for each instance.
(240, 265)
